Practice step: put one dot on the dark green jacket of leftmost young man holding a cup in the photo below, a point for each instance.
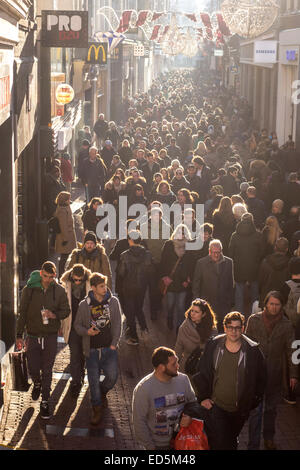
(33, 299)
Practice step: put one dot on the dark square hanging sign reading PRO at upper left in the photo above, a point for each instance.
(65, 28)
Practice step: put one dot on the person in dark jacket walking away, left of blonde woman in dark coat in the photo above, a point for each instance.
(134, 269)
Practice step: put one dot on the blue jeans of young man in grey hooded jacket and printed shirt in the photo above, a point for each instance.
(104, 359)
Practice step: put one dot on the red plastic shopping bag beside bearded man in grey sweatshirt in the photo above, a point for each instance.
(192, 438)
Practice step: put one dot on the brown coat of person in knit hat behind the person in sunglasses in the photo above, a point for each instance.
(97, 261)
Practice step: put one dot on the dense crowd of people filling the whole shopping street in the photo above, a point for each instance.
(187, 142)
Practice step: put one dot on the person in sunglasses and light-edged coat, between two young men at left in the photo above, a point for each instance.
(77, 286)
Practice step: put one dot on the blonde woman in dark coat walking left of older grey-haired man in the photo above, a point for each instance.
(175, 272)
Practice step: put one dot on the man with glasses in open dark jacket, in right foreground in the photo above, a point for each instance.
(230, 383)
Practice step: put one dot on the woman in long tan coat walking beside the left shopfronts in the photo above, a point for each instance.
(65, 241)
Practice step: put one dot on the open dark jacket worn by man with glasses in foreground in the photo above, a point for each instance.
(251, 376)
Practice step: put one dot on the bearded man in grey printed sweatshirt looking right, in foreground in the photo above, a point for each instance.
(158, 401)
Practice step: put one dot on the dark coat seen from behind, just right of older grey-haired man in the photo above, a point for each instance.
(246, 249)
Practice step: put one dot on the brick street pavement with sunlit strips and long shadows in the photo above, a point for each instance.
(68, 429)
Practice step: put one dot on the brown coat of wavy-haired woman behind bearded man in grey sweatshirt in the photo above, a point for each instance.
(187, 341)
